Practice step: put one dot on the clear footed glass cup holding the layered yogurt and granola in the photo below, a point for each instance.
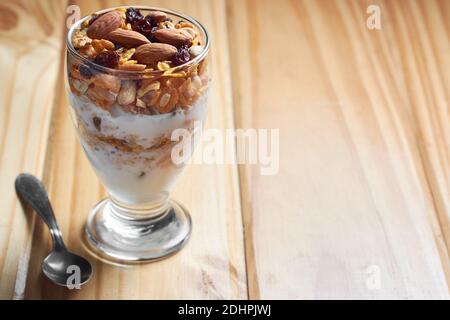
(131, 146)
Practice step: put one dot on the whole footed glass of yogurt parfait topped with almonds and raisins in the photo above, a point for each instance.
(134, 76)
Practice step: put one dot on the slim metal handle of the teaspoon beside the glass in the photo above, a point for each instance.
(32, 190)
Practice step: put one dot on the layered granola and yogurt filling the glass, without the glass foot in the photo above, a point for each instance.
(134, 76)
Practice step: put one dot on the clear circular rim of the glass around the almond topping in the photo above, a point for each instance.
(188, 18)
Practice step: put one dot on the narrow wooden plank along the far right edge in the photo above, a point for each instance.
(428, 88)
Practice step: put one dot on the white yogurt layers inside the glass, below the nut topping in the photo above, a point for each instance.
(134, 178)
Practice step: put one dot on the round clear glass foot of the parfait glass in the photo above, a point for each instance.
(117, 235)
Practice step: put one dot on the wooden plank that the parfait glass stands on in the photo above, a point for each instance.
(212, 265)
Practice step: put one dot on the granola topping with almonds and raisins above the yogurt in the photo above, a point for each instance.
(151, 49)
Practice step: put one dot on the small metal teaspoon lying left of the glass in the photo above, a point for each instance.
(60, 264)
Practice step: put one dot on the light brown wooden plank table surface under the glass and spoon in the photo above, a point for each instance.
(360, 207)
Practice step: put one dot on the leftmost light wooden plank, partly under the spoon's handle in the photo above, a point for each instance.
(29, 65)
